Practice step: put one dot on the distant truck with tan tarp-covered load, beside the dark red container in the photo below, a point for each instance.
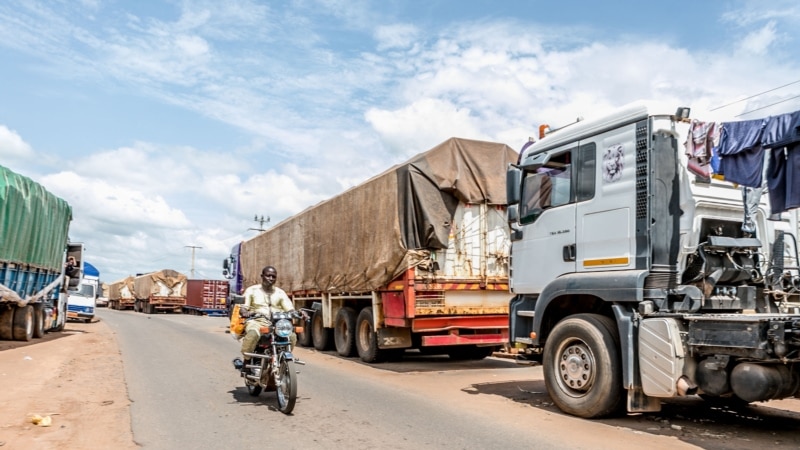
(163, 290)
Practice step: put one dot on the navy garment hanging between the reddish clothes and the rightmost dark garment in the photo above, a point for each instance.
(741, 154)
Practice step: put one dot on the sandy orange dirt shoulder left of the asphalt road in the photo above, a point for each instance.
(74, 377)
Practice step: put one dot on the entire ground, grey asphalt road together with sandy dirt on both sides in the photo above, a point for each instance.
(172, 376)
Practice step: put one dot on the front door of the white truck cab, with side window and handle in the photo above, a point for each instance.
(547, 220)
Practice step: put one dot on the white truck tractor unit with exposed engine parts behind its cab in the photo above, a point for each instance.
(635, 281)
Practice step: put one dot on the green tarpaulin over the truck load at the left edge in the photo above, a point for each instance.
(34, 223)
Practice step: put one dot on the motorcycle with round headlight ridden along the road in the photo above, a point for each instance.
(272, 365)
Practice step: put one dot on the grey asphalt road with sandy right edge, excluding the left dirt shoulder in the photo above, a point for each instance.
(186, 394)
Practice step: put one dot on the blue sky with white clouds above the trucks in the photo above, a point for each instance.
(170, 125)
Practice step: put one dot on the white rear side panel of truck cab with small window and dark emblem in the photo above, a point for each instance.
(606, 201)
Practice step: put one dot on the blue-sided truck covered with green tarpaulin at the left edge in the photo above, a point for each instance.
(34, 229)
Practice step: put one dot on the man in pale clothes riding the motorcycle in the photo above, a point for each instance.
(262, 299)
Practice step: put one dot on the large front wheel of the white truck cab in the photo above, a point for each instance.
(581, 365)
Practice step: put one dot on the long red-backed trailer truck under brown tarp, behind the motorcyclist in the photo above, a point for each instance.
(414, 258)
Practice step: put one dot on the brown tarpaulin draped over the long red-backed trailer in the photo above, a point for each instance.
(367, 236)
